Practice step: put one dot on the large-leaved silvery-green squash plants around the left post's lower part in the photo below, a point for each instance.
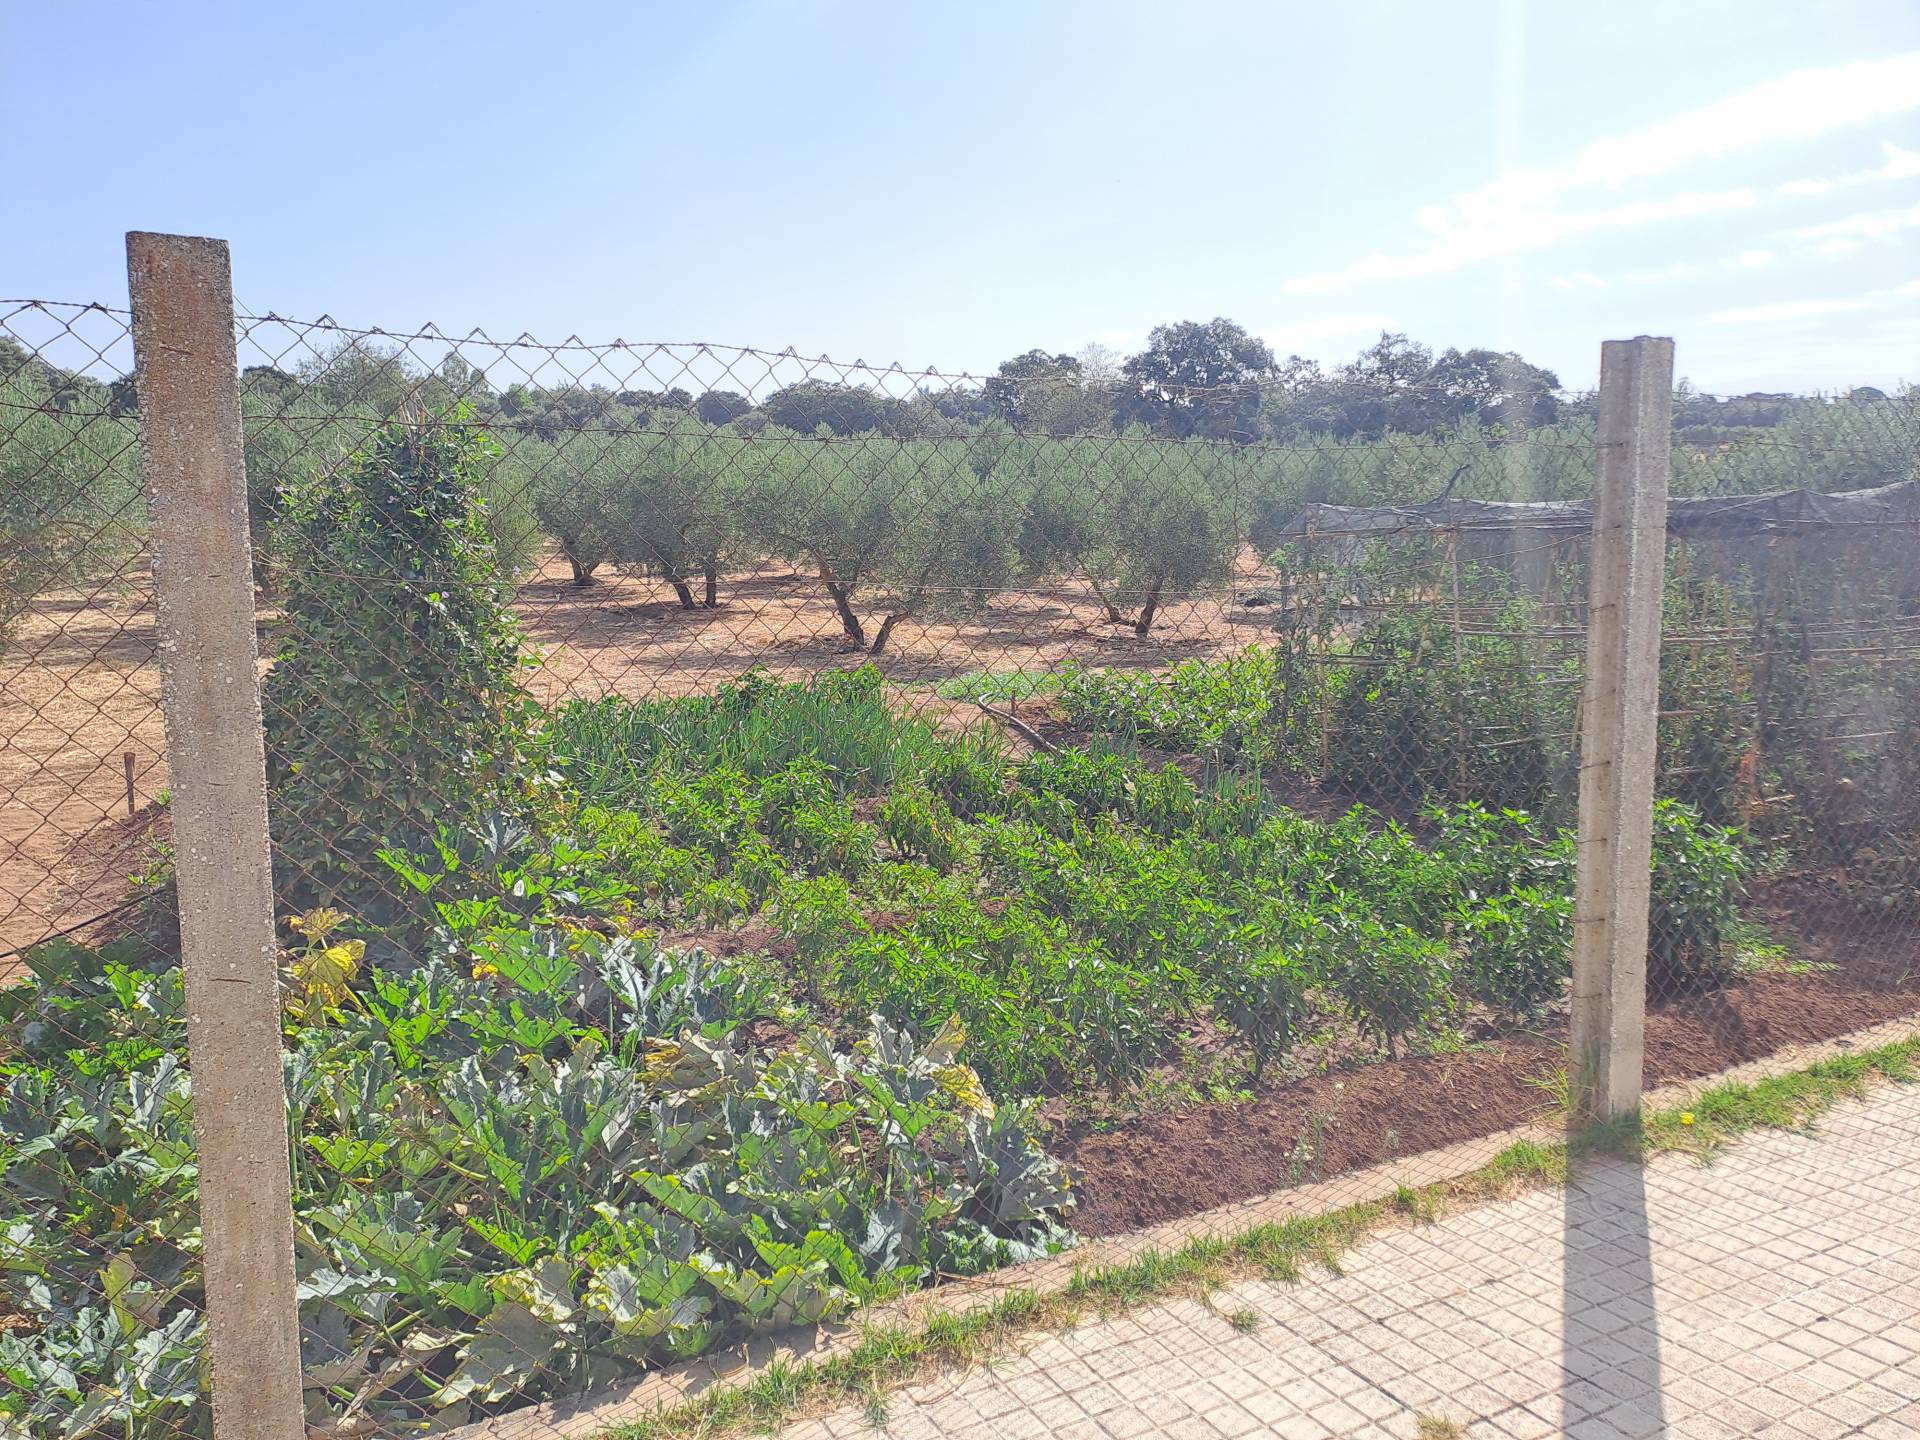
(510, 1184)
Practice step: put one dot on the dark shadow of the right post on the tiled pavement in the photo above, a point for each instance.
(1610, 1339)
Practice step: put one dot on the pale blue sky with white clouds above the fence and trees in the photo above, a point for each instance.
(951, 185)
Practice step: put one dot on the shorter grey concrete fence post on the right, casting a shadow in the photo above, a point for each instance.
(1620, 715)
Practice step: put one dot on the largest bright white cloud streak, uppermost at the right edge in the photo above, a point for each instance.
(1525, 210)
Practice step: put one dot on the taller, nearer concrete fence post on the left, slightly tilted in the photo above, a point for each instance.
(189, 385)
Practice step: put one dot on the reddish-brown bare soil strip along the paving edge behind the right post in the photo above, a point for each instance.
(1178, 1164)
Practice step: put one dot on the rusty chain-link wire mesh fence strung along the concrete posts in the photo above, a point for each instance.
(756, 836)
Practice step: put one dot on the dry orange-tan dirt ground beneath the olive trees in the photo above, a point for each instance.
(80, 688)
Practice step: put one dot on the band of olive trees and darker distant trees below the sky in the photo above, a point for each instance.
(1140, 477)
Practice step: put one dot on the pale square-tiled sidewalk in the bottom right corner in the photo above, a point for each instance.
(1773, 1293)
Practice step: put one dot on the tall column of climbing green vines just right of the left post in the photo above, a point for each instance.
(395, 704)
